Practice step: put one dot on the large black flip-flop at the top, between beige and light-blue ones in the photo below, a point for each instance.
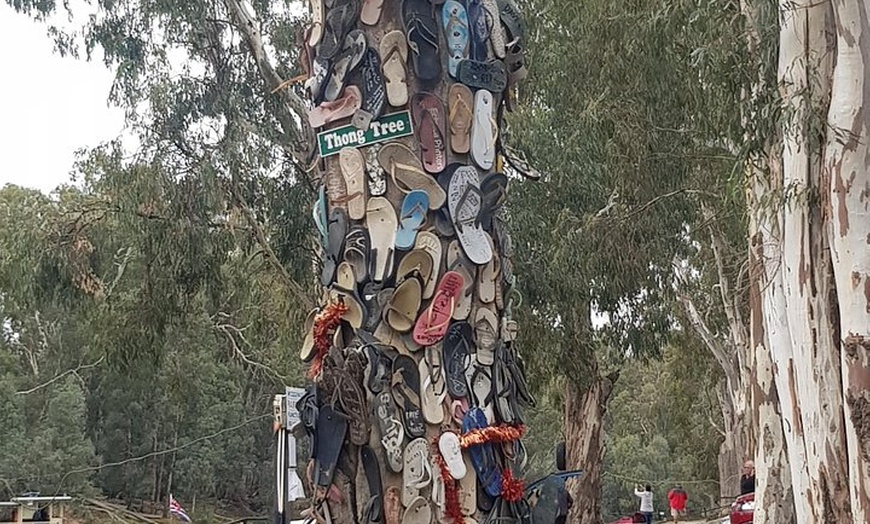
(421, 30)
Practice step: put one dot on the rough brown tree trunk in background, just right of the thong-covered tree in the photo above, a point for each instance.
(584, 420)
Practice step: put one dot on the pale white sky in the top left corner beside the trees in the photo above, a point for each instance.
(49, 106)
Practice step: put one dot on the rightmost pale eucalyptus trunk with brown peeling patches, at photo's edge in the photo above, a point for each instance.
(847, 166)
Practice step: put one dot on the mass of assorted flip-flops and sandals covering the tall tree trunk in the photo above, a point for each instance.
(415, 246)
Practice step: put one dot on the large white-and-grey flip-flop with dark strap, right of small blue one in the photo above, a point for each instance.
(465, 201)
